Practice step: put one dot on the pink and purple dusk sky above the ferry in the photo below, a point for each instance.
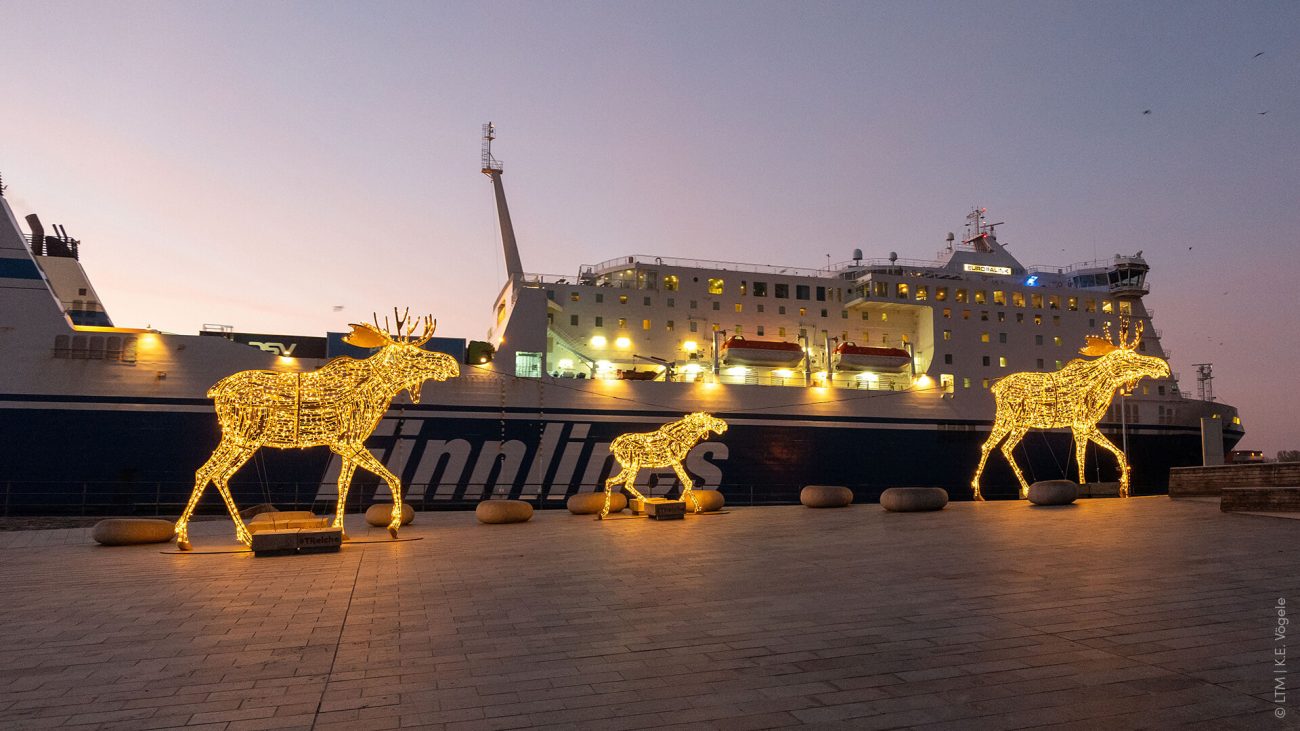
(257, 165)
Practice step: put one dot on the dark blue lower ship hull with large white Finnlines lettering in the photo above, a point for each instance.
(122, 457)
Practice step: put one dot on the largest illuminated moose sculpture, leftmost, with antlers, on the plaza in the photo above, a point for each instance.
(336, 406)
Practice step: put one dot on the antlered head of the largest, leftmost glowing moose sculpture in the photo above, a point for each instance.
(402, 357)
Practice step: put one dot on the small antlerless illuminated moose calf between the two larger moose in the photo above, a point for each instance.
(662, 448)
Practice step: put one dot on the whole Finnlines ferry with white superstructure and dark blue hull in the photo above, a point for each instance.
(870, 374)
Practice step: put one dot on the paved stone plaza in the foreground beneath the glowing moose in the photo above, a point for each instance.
(1108, 615)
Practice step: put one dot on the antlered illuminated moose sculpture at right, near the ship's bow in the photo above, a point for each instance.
(1076, 396)
